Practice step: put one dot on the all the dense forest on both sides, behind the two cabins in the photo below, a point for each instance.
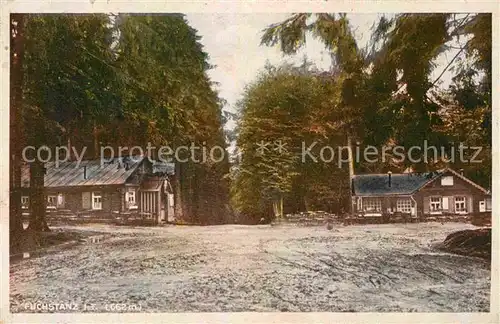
(131, 79)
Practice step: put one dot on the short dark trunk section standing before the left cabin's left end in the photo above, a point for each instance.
(37, 198)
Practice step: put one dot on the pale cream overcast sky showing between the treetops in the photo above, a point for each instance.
(233, 43)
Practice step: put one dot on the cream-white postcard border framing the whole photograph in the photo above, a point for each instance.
(244, 6)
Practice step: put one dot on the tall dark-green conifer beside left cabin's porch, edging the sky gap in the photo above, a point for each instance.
(169, 93)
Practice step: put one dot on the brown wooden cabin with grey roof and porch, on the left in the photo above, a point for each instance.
(121, 186)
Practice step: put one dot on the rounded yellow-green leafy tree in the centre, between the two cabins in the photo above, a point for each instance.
(292, 106)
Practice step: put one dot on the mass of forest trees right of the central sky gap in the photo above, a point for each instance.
(382, 95)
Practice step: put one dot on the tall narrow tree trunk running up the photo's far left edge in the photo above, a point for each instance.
(16, 129)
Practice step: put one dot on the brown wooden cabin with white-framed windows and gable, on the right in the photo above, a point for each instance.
(418, 195)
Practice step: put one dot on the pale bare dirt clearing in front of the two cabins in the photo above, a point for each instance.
(231, 268)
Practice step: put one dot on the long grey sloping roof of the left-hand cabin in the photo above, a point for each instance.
(70, 174)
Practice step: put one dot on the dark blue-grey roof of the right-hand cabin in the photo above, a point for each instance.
(401, 184)
